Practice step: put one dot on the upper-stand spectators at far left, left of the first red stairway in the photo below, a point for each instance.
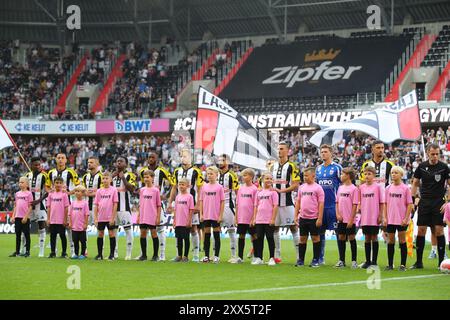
(31, 86)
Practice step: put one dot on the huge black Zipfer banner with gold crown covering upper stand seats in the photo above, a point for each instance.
(330, 66)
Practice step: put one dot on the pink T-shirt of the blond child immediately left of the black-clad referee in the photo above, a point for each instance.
(397, 200)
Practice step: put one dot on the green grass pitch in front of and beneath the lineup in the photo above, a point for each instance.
(42, 278)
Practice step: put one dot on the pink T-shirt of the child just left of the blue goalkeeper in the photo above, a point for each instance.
(310, 195)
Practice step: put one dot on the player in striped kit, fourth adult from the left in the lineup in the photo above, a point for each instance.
(125, 182)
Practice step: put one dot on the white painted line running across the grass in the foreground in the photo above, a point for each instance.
(308, 286)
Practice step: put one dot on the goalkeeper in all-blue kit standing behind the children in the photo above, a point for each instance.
(328, 176)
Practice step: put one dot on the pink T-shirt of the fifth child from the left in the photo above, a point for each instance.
(149, 201)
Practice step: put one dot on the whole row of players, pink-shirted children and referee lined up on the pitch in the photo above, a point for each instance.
(221, 202)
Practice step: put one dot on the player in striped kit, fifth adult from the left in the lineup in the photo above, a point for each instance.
(161, 179)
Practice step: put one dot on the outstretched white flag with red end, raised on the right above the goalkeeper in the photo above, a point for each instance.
(396, 121)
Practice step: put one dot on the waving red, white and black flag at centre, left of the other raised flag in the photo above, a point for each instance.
(222, 130)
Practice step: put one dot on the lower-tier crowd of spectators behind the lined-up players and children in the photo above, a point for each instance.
(352, 152)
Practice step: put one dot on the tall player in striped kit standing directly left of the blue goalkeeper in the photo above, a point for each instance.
(286, 178)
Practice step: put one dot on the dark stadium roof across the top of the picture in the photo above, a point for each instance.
(127, 20)
